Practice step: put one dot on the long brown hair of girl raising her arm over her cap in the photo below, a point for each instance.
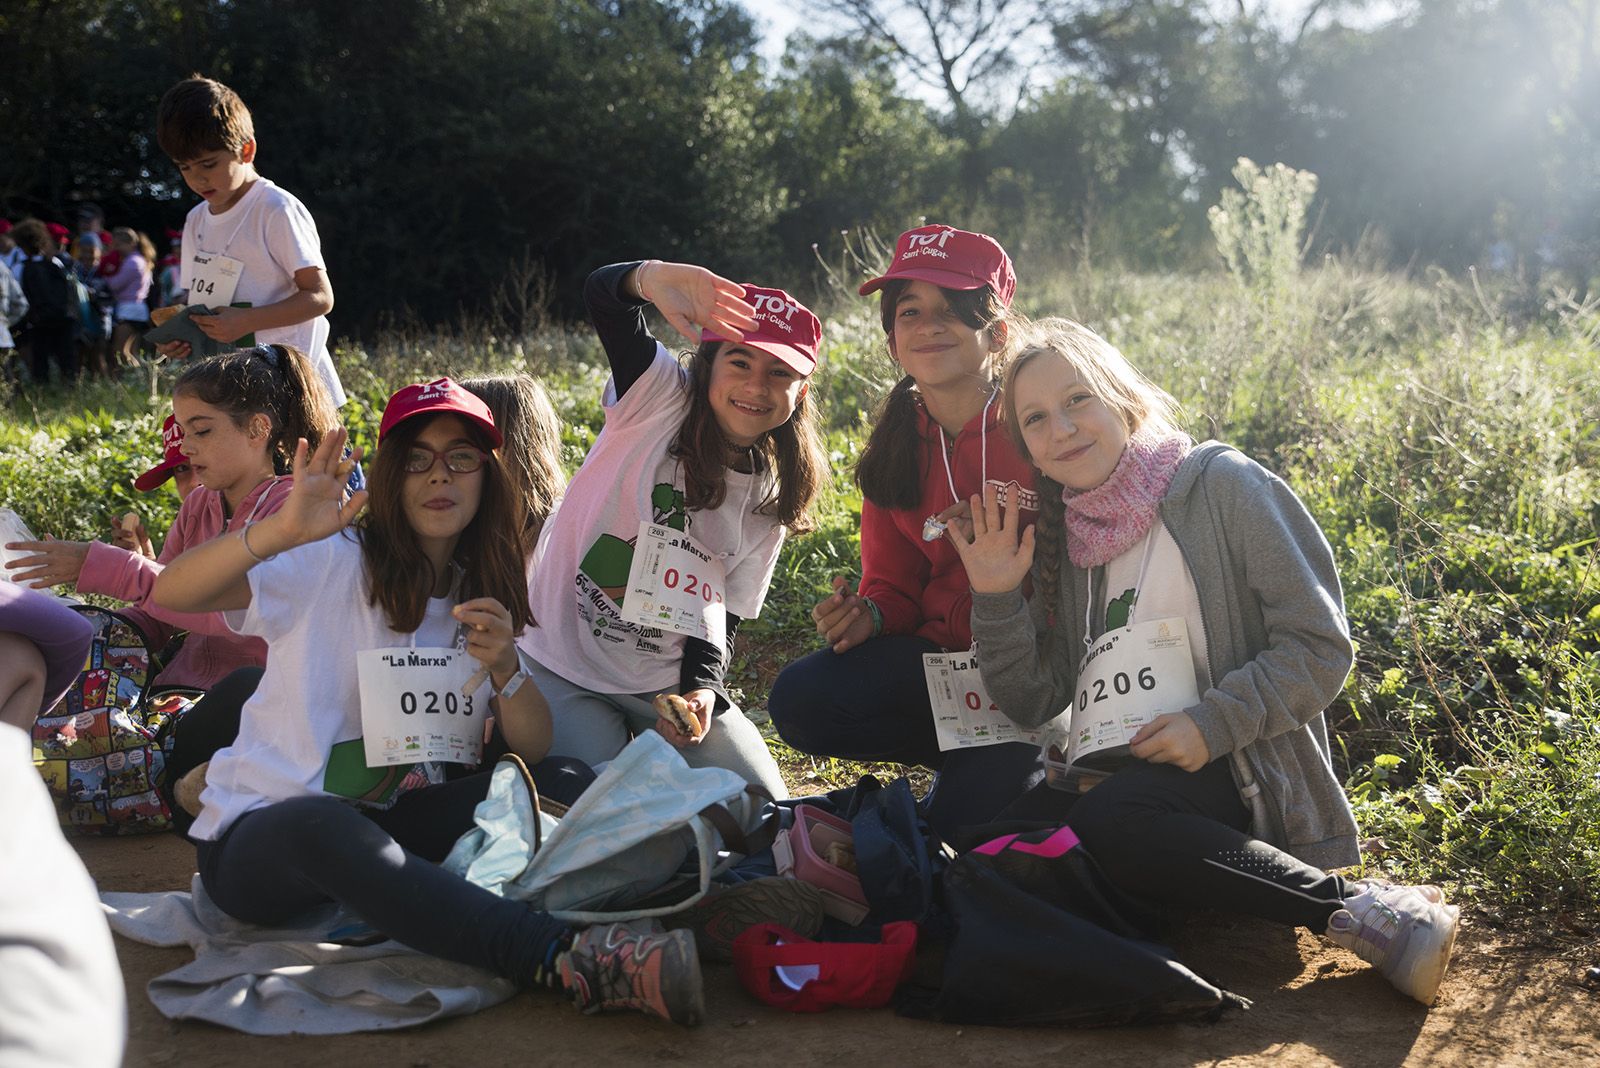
(793, 452)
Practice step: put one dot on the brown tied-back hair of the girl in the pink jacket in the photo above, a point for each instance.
(273, 381)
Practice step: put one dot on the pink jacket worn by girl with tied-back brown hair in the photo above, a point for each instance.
(212, 650)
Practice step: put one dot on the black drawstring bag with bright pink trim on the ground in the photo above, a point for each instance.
(1041, 938)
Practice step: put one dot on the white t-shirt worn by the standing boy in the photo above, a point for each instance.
(273, 236)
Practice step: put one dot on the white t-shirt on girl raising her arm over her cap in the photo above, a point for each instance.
(586, 549)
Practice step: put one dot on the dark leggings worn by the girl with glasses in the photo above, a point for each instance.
(289, 858)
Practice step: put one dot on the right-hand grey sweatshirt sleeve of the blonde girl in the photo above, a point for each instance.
(1282, 599)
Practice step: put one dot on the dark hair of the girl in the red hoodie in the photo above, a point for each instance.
(890, 469)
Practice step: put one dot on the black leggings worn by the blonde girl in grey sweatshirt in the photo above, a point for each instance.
(1182, 839)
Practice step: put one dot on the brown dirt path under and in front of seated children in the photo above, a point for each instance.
(1314, 1006)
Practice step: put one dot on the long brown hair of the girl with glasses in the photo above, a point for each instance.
(492, 552)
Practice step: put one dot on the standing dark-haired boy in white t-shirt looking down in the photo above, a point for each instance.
(250, 242)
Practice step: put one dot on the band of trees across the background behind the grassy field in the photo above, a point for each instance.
(449, 146)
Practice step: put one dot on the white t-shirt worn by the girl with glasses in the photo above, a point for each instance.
(302, 731)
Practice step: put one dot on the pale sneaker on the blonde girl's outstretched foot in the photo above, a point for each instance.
(1404, 931)
